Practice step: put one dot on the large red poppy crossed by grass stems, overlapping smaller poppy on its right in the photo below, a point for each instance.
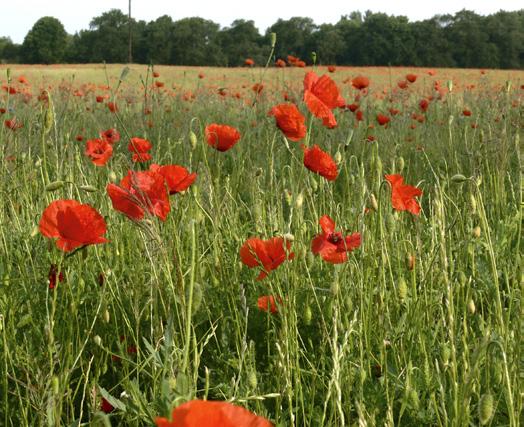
(140, 192)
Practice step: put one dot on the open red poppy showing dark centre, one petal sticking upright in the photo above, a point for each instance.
(332, 246)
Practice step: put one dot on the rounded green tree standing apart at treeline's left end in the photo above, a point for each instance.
(45, 43)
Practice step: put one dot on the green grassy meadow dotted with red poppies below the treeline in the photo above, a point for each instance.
(322, 246)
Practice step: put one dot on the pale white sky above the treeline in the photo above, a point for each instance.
(18, 16)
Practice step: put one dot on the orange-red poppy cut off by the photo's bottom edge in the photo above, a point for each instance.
(206, 413)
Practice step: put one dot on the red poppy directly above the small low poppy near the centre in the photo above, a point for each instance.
(268, 254)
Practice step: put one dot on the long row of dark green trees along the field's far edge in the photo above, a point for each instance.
(464, 40)
